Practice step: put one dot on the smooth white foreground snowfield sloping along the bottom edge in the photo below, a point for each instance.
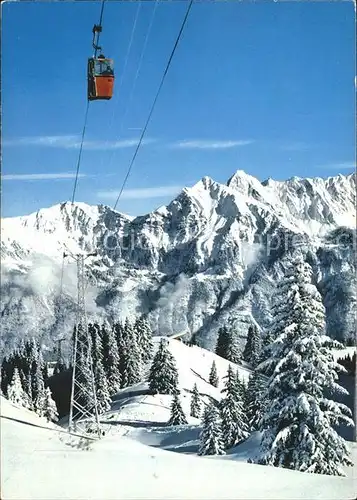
(36, 464)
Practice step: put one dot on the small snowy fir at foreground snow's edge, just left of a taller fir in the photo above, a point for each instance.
(211, 439)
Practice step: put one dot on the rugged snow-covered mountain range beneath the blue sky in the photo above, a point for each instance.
(213, 254)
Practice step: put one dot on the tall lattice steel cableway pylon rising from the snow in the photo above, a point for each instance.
(83, 415)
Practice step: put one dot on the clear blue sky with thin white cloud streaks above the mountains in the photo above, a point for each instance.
(263, 87)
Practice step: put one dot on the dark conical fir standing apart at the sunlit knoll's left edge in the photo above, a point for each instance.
(163, 377)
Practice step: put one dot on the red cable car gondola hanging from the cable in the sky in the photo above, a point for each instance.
(100, 72)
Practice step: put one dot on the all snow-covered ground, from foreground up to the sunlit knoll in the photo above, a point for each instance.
(142, 458)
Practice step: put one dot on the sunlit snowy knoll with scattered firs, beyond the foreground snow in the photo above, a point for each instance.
(142, 416)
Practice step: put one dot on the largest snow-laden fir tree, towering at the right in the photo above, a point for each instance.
(298, 424)
